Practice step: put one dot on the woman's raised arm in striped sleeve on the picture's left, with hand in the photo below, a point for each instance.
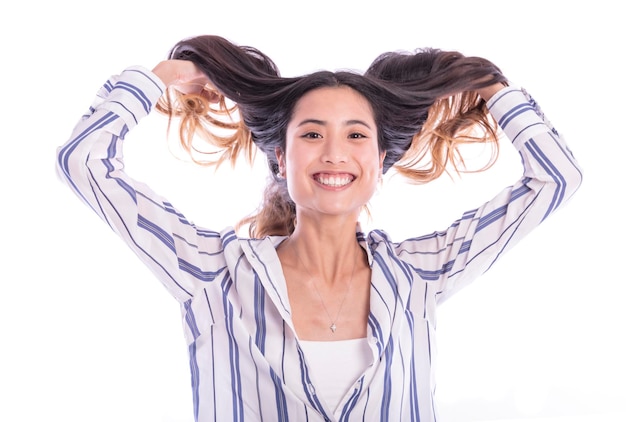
(91, 164)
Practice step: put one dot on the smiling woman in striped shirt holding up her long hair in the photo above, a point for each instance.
(310, 319)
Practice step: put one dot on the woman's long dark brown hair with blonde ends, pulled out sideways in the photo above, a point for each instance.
(424, 103)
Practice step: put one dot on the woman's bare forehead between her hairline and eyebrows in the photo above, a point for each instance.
(339, 102)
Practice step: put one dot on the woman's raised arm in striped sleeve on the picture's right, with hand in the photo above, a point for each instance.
(551, 175)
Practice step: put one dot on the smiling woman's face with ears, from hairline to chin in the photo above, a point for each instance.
(331, 160)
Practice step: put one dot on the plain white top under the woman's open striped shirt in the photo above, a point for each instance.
(336, 366)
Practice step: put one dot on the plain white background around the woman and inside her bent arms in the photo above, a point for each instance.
(89, 335)
